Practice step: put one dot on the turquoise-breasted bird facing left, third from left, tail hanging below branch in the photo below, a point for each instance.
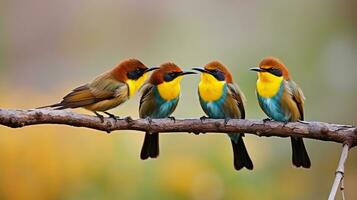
(221, 98)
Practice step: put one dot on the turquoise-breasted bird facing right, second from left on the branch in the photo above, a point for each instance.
(160, 96)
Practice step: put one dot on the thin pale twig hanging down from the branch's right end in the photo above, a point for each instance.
(339, 173)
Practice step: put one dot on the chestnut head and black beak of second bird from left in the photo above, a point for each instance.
(168, 73)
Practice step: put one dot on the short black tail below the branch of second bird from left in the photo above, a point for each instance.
(150, 147)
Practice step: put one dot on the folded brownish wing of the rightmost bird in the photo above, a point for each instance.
(297, 96)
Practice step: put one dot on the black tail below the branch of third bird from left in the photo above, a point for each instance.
(240, 154)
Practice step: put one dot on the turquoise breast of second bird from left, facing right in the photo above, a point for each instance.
(163, 108)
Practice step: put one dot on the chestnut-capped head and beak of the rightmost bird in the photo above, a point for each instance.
(271, 69)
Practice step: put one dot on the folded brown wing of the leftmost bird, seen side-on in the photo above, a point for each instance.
(102, 88)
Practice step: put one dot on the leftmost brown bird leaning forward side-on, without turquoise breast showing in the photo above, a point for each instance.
(107, 90)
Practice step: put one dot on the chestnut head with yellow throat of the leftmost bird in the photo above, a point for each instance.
(133, 72)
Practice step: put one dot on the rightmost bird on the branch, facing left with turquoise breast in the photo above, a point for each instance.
(282, 100)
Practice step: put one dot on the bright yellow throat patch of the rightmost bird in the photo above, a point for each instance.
(268, 84)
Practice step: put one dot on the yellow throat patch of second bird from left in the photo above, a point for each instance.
(170, 90)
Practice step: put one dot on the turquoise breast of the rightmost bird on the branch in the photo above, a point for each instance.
(272, 106)
